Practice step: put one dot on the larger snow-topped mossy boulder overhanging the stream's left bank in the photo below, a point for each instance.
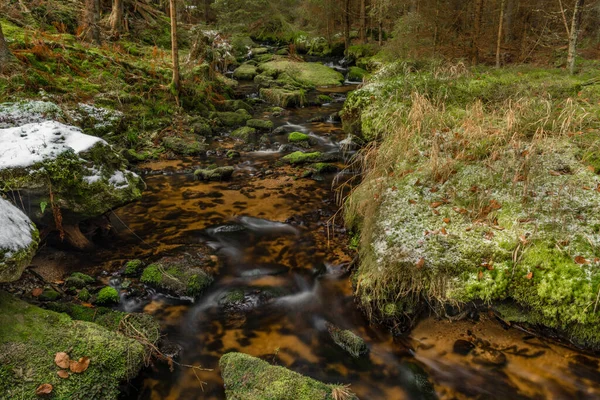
(59, 169)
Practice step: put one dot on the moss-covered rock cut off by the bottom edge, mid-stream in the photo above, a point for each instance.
(250, 378)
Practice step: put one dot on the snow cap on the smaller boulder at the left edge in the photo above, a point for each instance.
(15, 230)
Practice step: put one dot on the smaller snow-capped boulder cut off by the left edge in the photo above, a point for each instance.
(18, 241)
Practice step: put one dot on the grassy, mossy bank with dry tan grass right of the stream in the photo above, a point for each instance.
(480, 192)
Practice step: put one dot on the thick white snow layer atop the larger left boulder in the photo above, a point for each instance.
(26, 145)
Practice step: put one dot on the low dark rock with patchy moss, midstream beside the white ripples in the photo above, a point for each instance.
(181, 275)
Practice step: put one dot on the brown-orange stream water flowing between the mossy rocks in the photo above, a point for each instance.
(274, 232)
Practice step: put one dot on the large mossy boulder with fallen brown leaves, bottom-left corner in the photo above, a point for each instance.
(31, 344)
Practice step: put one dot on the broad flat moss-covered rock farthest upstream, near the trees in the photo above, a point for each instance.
(306, 74)
